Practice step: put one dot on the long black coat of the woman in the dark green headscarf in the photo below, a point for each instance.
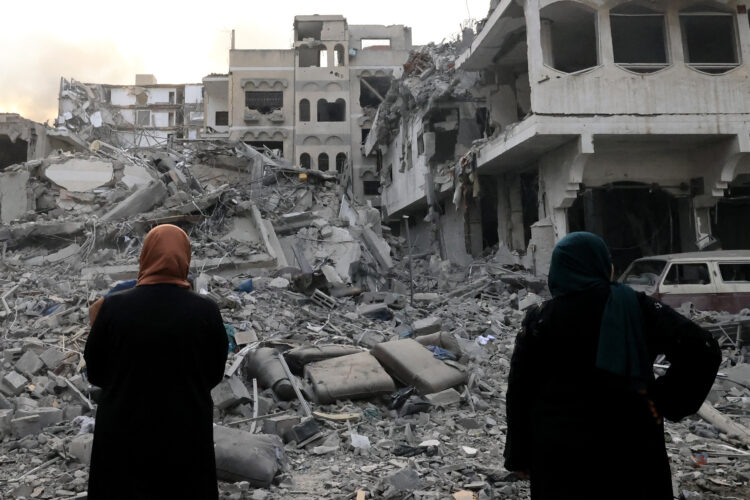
(577, 429)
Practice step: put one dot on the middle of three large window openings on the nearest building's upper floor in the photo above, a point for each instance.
(639, 38)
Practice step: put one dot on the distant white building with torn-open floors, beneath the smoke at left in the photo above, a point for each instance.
(141, 115)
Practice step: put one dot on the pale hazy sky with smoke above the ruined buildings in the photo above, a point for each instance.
(177, 41)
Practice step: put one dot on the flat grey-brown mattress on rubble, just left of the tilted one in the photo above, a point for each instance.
(355, 376)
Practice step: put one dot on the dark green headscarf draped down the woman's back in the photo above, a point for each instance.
(581, 261)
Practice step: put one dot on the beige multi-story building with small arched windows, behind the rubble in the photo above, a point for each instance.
(313, 103)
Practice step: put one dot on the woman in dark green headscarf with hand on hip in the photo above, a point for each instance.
(584, 410)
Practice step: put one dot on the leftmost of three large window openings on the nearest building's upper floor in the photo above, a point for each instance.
(569, 39)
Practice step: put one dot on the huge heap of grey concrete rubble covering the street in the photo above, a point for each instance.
(341, 381)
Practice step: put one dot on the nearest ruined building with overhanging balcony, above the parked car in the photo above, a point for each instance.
(629, 119)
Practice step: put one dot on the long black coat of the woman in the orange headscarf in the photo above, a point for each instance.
(156, 351)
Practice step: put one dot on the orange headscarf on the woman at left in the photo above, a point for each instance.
(165, 257)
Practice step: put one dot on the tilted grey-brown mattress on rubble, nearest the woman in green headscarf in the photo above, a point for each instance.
(413, 364)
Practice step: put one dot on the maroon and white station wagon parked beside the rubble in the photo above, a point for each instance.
(712, 281)
